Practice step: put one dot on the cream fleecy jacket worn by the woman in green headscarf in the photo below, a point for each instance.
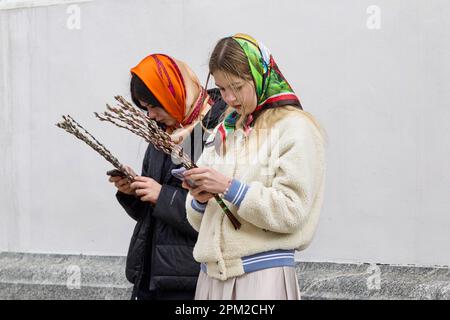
(285, 175)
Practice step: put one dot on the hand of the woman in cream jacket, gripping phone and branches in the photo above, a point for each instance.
(207, 180)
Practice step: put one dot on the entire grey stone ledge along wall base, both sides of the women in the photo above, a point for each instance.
(42, 276)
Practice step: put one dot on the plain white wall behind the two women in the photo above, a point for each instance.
(382, 95)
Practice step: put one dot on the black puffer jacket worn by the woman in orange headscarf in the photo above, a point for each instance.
(160, 262)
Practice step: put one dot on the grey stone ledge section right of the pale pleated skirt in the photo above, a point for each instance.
(319, 280)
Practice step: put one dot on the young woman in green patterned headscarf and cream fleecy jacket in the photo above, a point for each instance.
(269, 165)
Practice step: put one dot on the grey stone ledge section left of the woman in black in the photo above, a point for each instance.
(43, 276)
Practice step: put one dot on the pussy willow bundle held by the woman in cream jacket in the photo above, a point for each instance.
(126, 116)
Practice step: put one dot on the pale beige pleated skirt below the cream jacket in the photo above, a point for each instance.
(278, 283)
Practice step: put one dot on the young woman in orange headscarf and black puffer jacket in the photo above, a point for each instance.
(160, 262)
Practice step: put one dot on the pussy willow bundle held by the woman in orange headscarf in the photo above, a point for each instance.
(71, 126)
